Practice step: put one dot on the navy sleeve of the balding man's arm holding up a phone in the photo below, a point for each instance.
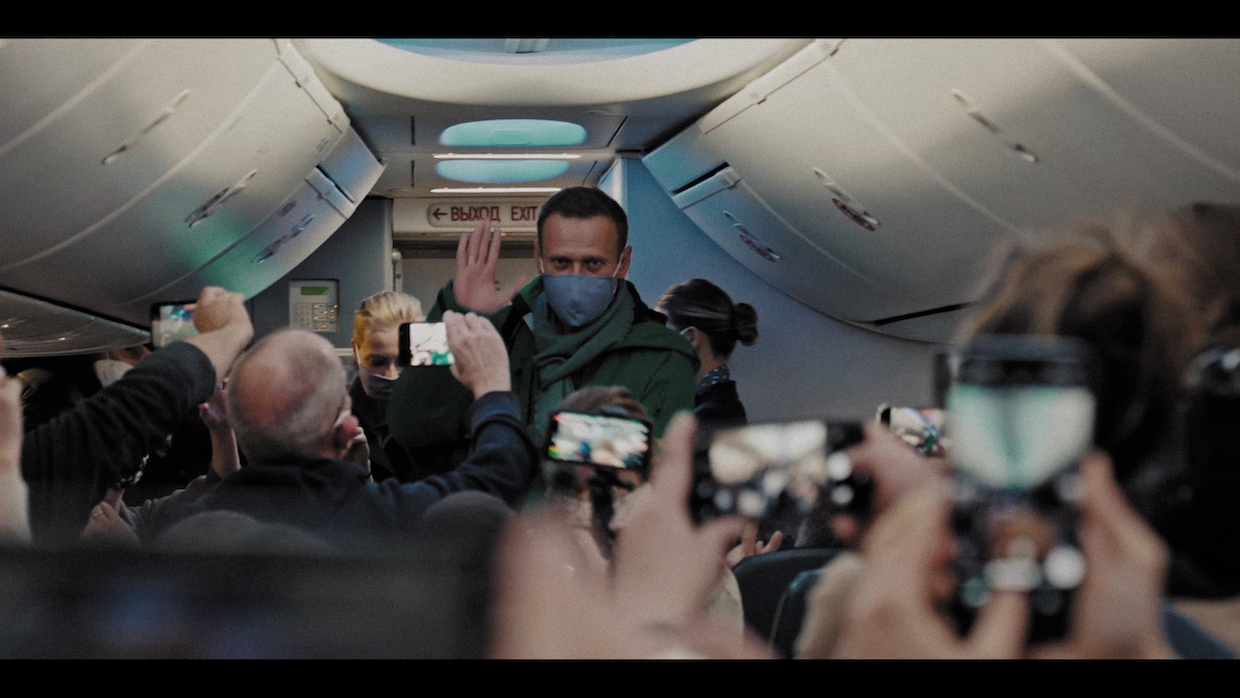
(503, 463)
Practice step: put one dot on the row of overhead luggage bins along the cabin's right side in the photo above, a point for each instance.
(907, 167)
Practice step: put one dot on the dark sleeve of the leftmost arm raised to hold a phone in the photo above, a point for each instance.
(70, 462)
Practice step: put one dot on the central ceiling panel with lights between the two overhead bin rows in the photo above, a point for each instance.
(402, 95)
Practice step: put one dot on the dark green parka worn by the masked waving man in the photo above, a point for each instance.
(428, 405)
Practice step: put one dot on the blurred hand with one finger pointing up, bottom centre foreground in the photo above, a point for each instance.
(555, 603)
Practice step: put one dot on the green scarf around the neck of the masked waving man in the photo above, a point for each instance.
(560, 356)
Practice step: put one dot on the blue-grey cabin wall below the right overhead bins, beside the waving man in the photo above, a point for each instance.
(804, 364)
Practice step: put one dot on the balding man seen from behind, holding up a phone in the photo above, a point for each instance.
(290, 406)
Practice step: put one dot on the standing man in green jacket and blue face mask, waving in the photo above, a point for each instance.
(580, 324)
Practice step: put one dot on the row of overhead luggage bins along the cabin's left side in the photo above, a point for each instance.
(175, 164)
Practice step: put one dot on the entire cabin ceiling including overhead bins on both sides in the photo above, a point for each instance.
(869, 179)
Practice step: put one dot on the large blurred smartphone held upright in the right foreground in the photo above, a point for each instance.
(1022, 416)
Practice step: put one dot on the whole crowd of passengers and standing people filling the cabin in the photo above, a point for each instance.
(593, 561)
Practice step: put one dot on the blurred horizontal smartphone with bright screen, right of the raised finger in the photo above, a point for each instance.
(774, 472)
